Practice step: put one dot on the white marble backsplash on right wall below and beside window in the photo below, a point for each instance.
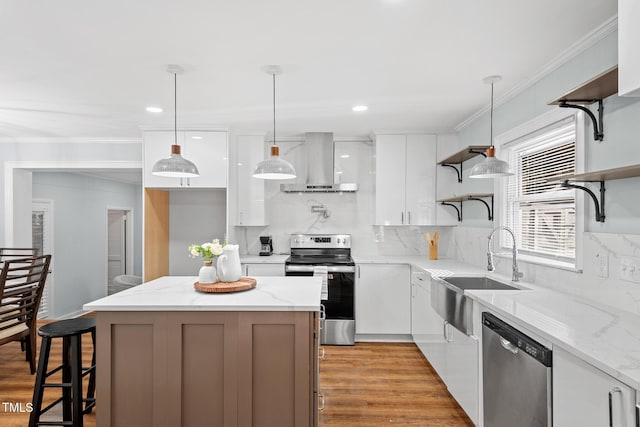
(469, 245)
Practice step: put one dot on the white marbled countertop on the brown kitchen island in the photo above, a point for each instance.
(176, 293)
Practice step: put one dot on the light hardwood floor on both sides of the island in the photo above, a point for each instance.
(370, 384)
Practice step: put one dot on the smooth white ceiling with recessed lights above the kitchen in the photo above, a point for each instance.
(77, 68)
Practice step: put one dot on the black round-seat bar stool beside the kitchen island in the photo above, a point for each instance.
(71, 332)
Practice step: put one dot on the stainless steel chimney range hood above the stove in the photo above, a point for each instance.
(320, 167)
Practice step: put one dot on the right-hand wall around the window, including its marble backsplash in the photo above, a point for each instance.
(619, 235)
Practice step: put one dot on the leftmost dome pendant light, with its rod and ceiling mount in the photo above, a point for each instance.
(175, 166)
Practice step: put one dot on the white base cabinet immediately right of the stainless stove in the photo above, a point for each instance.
(383, 299)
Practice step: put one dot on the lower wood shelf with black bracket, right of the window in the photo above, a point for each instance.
(599, 176)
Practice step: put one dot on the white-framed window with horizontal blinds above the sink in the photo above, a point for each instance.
(542, 214)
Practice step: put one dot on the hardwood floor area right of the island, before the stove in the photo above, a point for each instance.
(376, 384)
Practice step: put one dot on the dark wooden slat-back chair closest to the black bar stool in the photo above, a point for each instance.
(21, 284)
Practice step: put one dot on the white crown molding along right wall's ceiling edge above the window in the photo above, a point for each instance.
(600, 32)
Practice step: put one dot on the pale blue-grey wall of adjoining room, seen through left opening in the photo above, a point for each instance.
(80, 233)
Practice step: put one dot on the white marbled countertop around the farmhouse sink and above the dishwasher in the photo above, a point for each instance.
(600, 335)
